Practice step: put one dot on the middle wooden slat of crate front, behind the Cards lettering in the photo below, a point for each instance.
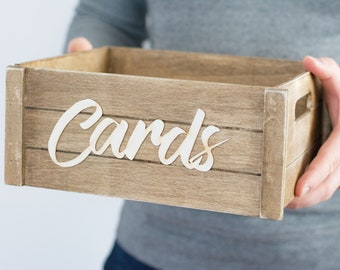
(233, 155)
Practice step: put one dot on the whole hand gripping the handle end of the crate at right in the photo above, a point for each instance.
(322, 177)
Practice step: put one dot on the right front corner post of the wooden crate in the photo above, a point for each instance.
(274, 153)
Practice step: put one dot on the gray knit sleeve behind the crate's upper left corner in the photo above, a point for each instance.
(110, 22)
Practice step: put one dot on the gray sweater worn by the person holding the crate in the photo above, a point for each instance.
(176, 238)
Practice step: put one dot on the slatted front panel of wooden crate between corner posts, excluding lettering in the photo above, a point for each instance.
(229, 107)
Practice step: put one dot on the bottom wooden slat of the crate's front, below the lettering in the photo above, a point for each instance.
(217, 191)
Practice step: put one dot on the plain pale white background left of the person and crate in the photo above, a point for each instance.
(40, 228)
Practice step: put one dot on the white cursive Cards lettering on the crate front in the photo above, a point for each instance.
(139, 134)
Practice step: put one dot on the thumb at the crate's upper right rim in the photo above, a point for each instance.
(328, 71)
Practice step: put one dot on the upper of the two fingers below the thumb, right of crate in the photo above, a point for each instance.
(325, 163)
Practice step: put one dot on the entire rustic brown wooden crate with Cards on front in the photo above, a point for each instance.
(262, 120)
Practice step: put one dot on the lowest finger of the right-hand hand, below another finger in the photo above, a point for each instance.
(320, 194)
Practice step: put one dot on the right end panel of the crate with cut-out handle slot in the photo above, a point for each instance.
(305, 128)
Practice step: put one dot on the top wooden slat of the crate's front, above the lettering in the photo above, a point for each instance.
(225, 105)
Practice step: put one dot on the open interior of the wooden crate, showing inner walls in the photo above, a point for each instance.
(177, 65)
